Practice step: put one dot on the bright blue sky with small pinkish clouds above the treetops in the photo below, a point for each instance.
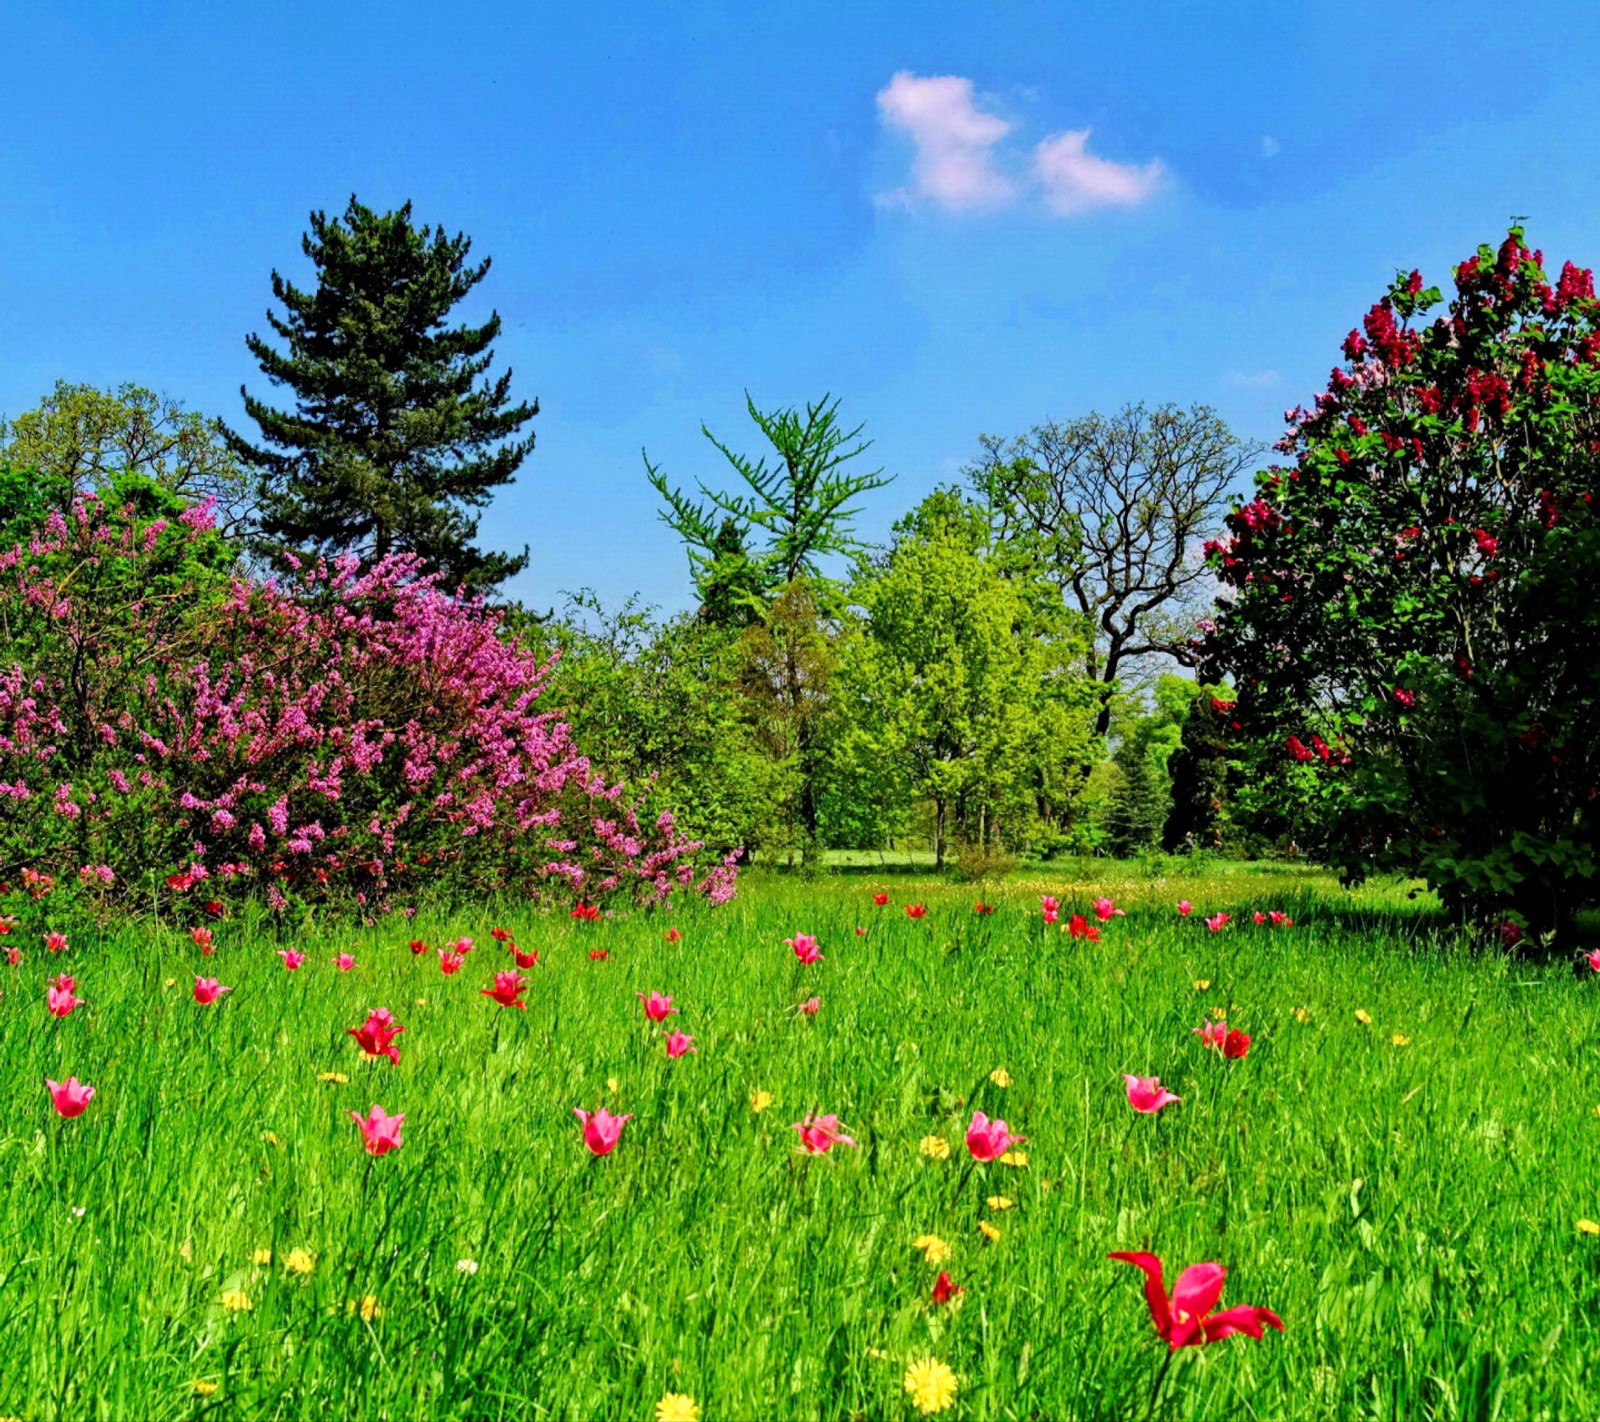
(895, 204)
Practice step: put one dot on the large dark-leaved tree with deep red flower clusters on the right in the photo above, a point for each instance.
(1412, 609)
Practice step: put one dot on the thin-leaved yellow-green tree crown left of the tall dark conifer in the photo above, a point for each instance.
(79, 439)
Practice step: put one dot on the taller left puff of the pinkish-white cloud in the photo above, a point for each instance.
(954, 140)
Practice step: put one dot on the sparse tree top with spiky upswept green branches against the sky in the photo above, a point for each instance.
(746, 548)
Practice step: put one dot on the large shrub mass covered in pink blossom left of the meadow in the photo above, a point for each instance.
(353, 735)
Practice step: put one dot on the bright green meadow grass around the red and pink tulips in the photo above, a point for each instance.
(1410, 1212)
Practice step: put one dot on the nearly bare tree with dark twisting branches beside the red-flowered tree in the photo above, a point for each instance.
(1116, 509)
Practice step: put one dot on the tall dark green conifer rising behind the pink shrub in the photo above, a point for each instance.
(393, 441)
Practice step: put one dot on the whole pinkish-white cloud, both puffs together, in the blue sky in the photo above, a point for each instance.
(959, 162)
